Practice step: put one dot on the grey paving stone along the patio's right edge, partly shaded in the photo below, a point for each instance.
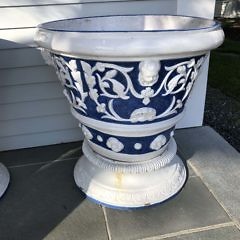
(217, 162)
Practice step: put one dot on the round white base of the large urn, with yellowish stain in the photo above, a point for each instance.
(127, 185)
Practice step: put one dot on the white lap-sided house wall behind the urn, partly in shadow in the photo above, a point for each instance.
(33, 110)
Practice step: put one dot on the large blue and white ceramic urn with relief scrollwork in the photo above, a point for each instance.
(127, 79)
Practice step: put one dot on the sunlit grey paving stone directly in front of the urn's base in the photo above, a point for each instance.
(194, 207)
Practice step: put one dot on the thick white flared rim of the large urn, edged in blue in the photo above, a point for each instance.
(130, 36)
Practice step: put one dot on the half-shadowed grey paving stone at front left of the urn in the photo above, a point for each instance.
(43, 200)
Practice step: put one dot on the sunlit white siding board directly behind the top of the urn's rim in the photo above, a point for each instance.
(24, 17)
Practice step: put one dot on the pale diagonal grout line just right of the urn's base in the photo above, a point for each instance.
(198, 173)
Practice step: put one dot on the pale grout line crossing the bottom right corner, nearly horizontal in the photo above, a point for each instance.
(189, 231)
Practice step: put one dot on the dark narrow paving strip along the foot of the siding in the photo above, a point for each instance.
(41, 154)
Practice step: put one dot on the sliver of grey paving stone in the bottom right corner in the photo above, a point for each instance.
(225, 233)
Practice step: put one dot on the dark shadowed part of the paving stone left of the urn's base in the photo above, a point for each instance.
(38, 199)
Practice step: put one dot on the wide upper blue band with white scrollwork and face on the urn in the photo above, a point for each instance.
(127, 92)
